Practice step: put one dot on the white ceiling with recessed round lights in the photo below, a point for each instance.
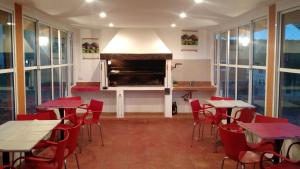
(143, 13)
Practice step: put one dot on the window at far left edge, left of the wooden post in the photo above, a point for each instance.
(7, 104)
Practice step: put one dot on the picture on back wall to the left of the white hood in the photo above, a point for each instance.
(90, 48)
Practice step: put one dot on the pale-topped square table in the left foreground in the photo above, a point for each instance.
(22, 136)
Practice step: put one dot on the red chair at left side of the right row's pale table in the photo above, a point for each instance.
(196, 109)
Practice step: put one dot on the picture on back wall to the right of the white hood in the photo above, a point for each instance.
(189, 40)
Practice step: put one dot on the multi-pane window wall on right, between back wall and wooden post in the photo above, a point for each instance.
(241, 69)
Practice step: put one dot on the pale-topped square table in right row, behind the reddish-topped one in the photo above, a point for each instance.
(229, 104)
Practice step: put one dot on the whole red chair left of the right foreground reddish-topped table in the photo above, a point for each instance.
(236, 148)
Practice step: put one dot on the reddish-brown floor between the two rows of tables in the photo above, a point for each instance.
(148, 143)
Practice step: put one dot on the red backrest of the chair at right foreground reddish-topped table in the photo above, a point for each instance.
(234, 142)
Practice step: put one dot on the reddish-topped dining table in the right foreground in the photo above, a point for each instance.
(273, 131)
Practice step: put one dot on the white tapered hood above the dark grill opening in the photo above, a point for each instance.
(136, 41)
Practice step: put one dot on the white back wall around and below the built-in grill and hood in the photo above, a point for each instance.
(196, 67)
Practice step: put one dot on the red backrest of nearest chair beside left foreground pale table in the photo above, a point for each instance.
(59, 155)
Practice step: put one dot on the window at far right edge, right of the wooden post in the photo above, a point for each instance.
(289, 81)
